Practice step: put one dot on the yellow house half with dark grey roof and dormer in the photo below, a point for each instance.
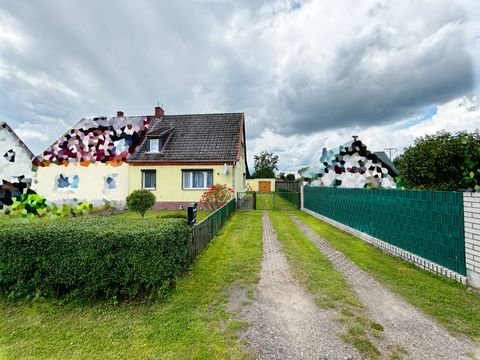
(182, 155)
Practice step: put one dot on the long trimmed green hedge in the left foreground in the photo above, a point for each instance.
(92, 257)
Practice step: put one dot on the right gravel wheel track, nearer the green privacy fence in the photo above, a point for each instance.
(403, 324)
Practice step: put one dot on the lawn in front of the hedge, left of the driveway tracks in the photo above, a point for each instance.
(191, 323)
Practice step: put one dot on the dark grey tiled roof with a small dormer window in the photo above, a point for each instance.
(196, 137)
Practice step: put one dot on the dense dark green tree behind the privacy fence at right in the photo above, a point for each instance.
(442, 161)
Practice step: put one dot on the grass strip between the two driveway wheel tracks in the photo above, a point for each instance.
(328, 287)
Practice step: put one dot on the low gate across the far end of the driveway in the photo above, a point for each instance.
(287, 200)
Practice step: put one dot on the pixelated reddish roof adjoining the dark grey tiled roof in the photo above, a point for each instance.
(107, 140)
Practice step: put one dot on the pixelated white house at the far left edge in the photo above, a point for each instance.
(15, 165)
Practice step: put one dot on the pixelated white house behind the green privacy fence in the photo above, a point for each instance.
(352, 165)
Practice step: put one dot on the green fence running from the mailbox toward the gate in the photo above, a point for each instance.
(206, 229)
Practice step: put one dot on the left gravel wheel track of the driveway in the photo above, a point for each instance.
(284, 321)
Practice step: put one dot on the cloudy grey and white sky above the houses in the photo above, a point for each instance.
(307, 74)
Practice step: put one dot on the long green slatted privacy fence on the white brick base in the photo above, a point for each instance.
(426, 223)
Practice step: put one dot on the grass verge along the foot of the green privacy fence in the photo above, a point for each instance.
(451, 303)
